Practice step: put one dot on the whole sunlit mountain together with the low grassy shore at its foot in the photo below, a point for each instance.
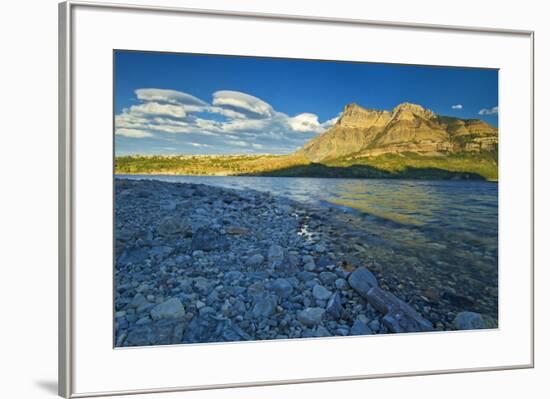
(408, 142)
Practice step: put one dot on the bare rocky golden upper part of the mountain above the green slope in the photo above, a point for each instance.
(408, 128)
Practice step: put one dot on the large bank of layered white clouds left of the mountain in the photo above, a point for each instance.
(234, 119)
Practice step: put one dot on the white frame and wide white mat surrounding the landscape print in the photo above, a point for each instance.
(87, 359)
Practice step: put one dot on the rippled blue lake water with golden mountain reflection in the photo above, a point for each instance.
(439, 237)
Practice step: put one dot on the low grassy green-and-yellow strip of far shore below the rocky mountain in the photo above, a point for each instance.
(482, 165)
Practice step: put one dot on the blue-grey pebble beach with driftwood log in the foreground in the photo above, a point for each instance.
(196, 263)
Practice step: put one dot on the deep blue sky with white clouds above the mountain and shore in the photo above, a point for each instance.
(202, 104)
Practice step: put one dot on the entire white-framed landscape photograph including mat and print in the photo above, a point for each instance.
(254, 199)
